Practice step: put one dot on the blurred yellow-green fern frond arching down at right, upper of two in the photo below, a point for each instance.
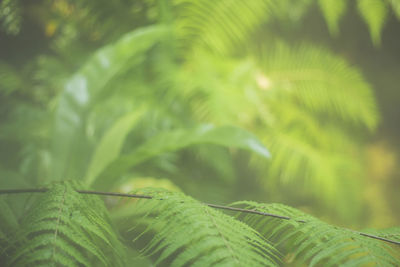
(321, 82)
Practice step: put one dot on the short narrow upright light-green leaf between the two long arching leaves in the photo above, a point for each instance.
(110, 145)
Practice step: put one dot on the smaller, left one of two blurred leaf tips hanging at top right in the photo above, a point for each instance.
(333, 10)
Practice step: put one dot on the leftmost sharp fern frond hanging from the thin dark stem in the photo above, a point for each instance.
(66, 228)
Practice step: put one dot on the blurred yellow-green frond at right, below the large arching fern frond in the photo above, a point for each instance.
(323, 170)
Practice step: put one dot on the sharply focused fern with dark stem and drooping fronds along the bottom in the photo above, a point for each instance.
(69, 227)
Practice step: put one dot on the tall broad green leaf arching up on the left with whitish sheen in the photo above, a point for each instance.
(70, 149)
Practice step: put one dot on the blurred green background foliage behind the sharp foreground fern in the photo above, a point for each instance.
(120, 94)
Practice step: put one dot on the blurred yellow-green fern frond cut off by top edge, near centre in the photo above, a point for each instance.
(219, 25)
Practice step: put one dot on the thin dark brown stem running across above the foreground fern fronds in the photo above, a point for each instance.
(113, 194)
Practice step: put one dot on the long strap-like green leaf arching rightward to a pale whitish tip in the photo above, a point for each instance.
(227, 136)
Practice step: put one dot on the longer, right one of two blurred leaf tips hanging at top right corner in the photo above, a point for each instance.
(374, 13)
